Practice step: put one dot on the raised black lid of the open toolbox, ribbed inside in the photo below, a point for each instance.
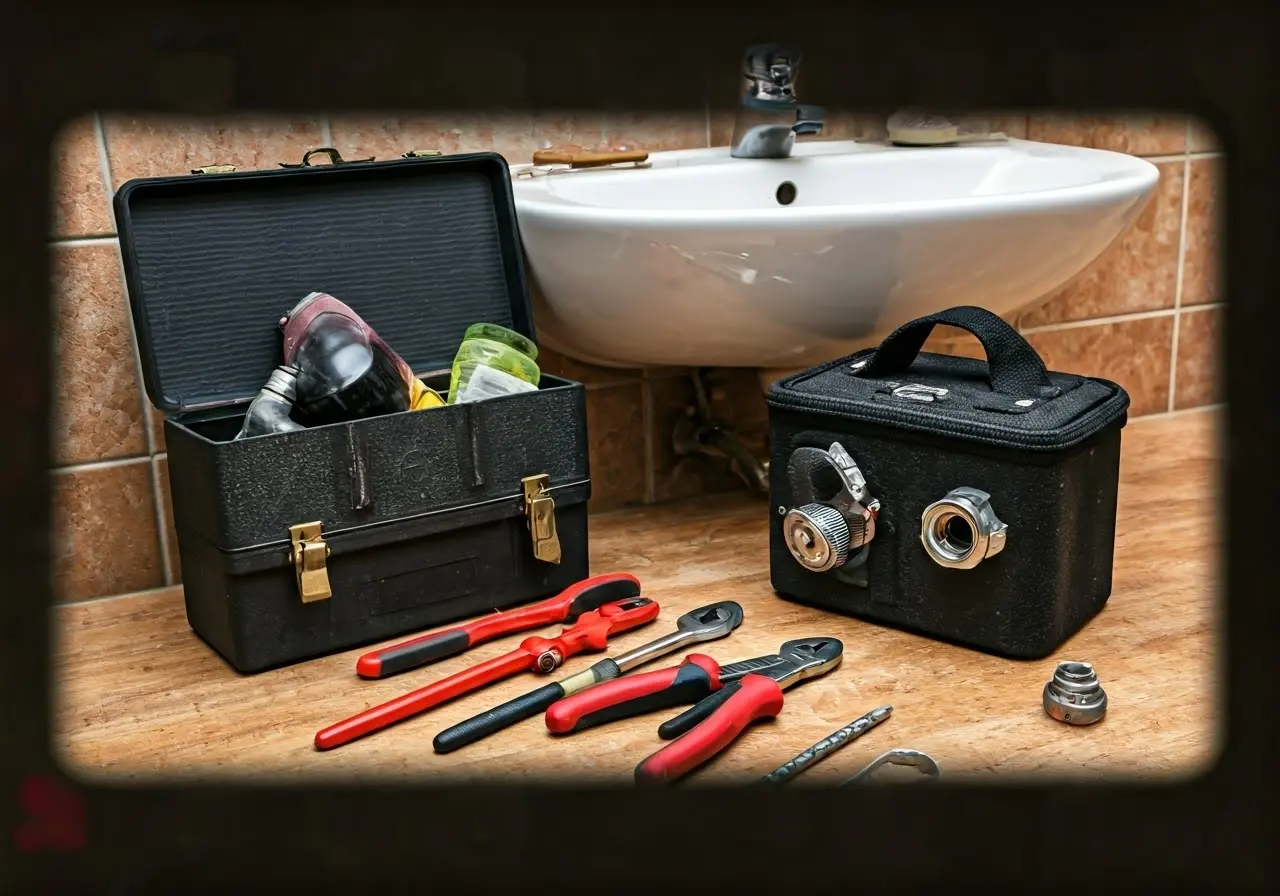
(420, 249)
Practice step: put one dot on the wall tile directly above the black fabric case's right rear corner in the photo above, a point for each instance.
(1136, 354)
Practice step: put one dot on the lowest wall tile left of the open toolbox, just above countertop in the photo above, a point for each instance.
(106, 537)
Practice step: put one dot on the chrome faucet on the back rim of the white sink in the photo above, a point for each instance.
(769, 116)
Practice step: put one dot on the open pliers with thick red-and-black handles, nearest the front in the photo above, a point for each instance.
(726, 701)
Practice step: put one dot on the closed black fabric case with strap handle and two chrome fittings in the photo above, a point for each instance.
(988, 490)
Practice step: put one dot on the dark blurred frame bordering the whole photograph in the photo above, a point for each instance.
(63, 62)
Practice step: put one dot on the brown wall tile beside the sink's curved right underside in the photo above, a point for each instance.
(1136, 273)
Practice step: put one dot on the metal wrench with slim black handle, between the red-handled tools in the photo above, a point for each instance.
(706, 624)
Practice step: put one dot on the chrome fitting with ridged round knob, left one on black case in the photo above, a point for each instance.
(836, 516)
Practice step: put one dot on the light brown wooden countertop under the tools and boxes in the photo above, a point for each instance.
(140, 696)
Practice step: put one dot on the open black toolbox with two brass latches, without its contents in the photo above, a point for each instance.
(299, 545)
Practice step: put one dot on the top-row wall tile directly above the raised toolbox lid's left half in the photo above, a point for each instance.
(167, 147)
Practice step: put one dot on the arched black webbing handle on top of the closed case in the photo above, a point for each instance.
(1014, 368)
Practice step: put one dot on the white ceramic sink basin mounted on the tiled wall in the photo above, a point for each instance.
(707, 260)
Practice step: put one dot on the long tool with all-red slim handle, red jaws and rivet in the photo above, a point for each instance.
(536, 655)
